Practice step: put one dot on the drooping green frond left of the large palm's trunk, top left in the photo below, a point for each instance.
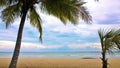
(10, 13)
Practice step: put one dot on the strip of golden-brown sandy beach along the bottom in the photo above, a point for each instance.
(59, 63)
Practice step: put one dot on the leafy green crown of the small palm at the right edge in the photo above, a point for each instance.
(110, 39)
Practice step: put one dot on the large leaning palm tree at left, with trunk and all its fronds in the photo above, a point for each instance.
(65, 10)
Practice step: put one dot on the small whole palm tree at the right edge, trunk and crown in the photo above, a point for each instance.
(109, 40)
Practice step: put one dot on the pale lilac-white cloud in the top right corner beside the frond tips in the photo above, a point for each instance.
(103, 9)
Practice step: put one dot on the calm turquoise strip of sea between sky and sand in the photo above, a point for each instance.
(59, 55)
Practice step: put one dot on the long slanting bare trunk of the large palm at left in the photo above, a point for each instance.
(18, 42)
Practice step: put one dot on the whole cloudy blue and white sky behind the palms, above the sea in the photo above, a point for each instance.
(59, 37)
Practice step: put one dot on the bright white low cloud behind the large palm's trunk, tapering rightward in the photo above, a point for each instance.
(24, 45)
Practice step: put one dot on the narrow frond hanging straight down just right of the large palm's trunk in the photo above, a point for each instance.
(35, 20)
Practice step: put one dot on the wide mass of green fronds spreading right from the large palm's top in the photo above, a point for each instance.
(66, 10)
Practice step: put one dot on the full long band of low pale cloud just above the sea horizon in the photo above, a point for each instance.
(9, 45)
